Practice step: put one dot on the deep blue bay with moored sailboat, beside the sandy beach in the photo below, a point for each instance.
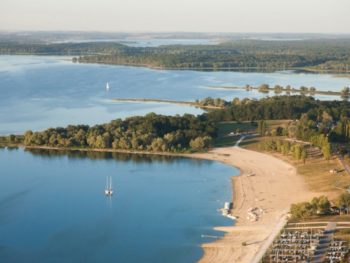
(53, 207)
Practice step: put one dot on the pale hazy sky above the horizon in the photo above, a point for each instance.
(318, 16)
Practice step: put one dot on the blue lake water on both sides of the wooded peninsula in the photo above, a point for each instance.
(52, 204)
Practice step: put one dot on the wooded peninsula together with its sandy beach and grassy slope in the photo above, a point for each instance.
(291, 141)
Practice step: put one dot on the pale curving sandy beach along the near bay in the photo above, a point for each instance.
(273, 188)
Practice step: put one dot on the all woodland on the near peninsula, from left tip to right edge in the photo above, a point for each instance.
(318, 122)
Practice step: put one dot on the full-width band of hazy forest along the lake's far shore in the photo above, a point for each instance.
(316, 54)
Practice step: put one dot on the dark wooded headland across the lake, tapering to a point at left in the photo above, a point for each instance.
(241, 54)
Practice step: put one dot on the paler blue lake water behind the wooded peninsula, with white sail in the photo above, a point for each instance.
(41, 92)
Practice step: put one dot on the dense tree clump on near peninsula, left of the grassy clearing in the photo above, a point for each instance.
(149, 133)
